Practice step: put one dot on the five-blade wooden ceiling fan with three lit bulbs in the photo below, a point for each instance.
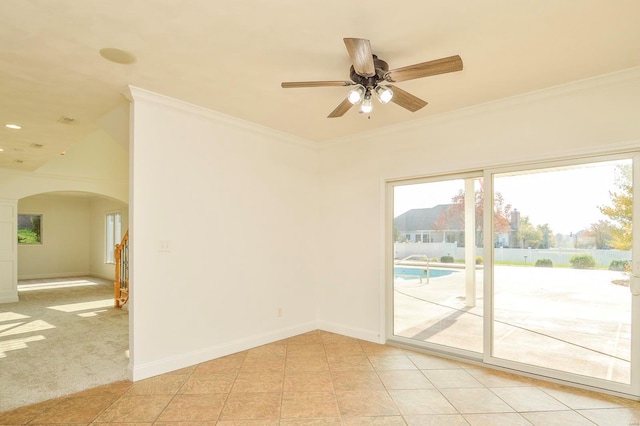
(367, 74)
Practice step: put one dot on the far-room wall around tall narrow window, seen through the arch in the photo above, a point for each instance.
(99, 207)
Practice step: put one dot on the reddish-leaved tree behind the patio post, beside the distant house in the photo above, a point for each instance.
(454, 214)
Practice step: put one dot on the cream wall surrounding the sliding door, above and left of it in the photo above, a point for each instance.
(588, 116)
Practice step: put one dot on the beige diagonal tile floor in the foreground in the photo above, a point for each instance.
(321, 378)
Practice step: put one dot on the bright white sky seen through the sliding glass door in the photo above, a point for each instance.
(566, 199)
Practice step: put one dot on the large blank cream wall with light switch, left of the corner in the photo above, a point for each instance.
(206, 185)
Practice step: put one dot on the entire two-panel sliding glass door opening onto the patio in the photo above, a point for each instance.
(528, 268)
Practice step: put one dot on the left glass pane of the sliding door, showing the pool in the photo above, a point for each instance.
(437, 277)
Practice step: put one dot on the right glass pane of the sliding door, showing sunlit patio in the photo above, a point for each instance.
(561, 297)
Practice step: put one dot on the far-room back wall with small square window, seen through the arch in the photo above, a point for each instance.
(66, 238)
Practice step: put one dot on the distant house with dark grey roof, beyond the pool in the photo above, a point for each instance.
(426, 225)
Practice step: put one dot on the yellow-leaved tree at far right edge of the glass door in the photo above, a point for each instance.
(621, 209)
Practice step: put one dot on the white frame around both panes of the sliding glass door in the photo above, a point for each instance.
(485, 358)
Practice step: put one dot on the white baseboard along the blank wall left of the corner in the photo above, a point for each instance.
(143, 371)
